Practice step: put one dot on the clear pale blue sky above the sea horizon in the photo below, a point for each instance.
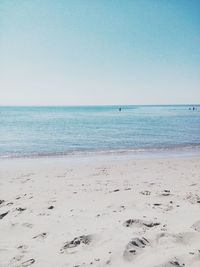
(99, 52)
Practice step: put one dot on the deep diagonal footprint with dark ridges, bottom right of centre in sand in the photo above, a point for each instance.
(135, 247)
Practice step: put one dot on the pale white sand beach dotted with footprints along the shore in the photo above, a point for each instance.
(130, 212)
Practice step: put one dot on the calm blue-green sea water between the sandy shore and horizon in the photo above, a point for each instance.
(49, 131)
